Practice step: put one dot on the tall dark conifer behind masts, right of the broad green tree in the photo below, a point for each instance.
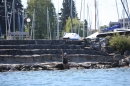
(66, 12)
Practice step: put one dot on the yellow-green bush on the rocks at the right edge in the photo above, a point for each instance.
(120, 43)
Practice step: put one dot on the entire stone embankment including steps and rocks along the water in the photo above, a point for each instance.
(27, 55)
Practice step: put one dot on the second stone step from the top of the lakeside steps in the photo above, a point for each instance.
(41, 46)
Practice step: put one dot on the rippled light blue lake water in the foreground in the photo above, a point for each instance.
(87, 77)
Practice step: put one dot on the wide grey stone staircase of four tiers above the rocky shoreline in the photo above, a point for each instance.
(28, 51)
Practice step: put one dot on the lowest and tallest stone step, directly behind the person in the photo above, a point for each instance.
(54, 58)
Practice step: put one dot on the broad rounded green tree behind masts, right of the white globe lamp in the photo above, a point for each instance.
(40, 7)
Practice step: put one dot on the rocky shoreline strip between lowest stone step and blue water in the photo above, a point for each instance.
(12, 67)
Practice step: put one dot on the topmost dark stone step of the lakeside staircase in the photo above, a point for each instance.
(22, 42)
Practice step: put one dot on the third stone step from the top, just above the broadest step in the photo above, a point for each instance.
(47, 51)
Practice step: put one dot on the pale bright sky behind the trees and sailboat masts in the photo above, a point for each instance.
(107, 10)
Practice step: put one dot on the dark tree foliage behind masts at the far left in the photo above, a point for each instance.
(18, 12)
